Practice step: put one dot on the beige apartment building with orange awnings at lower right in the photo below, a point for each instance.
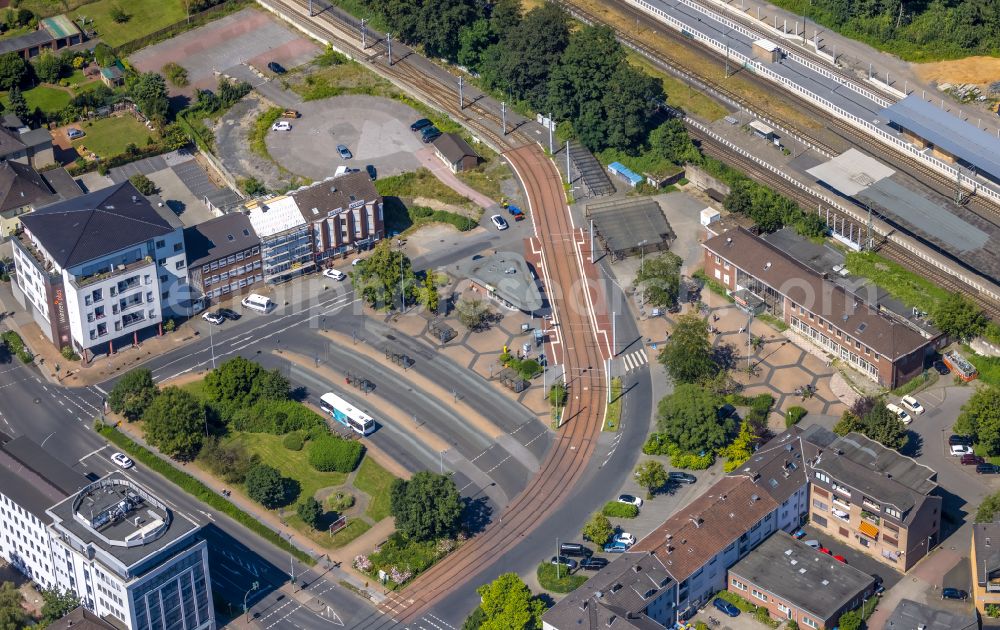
(872, 498)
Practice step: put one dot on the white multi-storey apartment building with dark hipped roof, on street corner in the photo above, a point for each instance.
(102, 269)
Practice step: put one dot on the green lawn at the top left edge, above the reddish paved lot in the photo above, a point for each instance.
(146, 16)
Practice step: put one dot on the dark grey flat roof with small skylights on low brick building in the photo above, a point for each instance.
(803, 576)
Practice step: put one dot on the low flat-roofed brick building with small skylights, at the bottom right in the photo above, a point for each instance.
(796, 582)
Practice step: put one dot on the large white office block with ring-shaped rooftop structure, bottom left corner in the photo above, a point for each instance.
(132, 560)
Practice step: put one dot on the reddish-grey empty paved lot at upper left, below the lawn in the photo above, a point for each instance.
(246, 37)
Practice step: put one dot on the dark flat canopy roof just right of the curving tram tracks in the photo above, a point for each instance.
(624, 224)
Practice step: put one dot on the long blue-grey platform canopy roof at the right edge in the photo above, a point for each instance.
(949, 133)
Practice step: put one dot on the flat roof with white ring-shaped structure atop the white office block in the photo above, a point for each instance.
(104, 494)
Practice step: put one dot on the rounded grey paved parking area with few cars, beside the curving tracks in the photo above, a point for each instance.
(376, 130)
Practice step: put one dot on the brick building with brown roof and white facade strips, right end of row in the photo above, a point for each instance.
(344, 215)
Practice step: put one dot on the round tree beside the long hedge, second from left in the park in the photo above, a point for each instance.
(175, 423)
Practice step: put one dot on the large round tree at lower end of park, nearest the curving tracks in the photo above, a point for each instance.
(427, 506)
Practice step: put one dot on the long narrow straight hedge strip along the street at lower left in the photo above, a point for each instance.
(198, 490)
